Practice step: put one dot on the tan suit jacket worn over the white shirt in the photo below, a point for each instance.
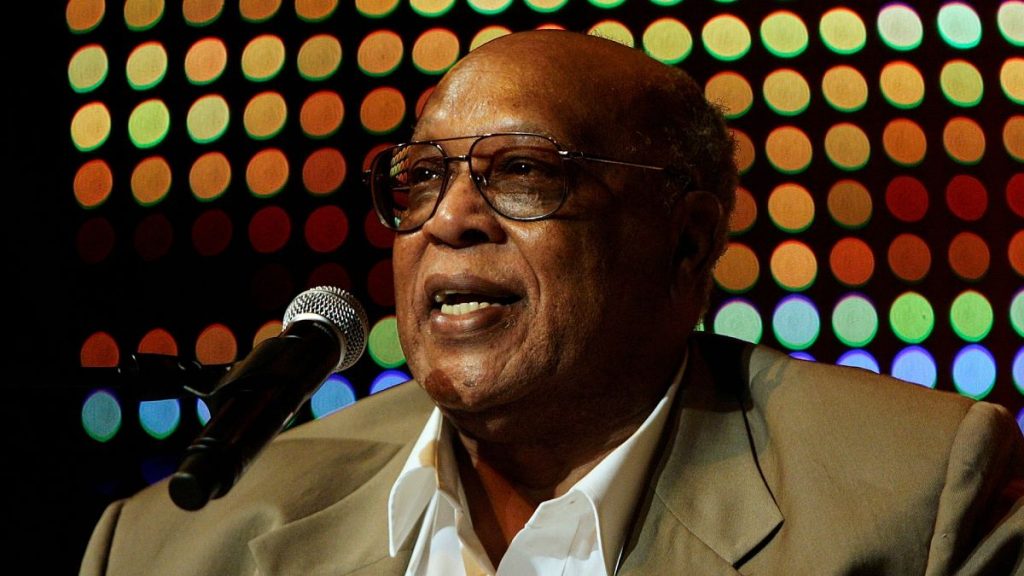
(771, 466)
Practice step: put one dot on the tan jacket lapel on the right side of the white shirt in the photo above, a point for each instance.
(709, 508)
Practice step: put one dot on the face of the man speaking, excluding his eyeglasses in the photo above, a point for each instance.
(575, 302)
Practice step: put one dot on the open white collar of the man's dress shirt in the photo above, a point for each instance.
(613, 487)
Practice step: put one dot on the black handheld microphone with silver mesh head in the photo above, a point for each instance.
(325, 332)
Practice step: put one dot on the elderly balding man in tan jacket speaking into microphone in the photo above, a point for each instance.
(558, 216)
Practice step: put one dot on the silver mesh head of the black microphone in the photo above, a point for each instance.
(343, 311)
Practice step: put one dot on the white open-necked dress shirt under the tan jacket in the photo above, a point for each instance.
(581, 532)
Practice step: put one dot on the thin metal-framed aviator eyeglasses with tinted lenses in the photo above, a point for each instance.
(523, 177)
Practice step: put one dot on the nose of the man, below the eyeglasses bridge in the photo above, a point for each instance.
(463, 218)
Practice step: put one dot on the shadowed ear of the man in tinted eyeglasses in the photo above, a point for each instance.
(696, 218)
